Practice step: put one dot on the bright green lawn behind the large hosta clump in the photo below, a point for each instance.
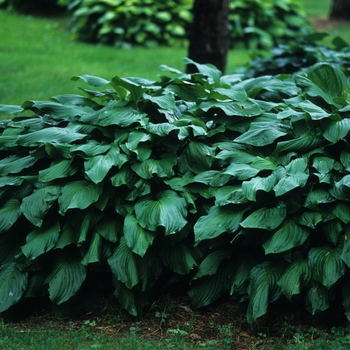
(38, 57)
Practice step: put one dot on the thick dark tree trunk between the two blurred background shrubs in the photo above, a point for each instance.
(209, 37)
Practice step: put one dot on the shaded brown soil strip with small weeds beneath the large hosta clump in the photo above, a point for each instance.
(171, 315)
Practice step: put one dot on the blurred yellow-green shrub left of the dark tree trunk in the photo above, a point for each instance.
(135, 22)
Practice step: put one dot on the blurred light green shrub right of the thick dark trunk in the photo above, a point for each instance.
(264, 24)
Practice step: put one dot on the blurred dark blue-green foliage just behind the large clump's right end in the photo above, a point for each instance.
(304, 52)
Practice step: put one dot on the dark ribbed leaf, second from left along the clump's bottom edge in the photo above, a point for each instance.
(65, 279)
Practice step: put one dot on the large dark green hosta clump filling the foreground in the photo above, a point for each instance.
(233, 186)
